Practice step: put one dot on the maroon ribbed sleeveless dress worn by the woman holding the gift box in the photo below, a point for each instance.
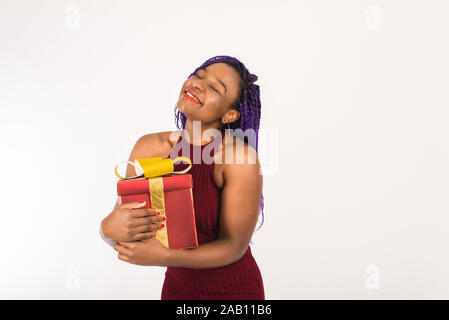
(238, 280)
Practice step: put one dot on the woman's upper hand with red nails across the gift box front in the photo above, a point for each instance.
(131, 222)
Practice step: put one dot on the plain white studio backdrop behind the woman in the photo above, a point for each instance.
(354, 144)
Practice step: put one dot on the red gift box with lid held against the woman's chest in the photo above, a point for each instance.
(174, 193)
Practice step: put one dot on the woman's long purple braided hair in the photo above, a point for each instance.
(248, 104)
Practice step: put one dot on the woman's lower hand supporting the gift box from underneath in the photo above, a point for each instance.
(148, 252)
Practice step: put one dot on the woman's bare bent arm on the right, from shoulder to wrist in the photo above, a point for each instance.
(240, 201)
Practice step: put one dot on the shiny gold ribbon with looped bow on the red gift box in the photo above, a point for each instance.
(152, 169)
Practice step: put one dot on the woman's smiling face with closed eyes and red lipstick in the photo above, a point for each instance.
(216, 87)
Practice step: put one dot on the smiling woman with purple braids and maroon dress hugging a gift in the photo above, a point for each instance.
(227, 194)
